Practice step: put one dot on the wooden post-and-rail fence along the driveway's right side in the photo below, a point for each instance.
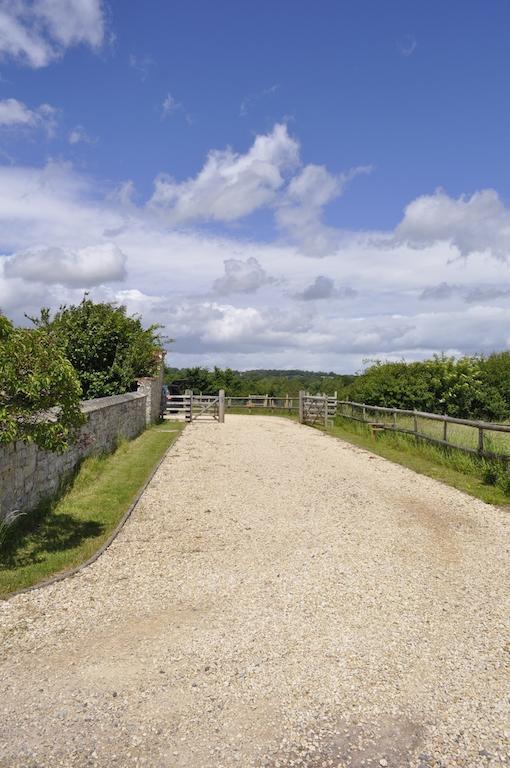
(478, 438)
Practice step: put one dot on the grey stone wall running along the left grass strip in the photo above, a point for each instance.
(28, 474)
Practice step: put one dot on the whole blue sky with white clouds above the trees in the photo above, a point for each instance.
(282, 184)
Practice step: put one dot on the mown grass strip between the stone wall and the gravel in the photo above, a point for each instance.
(65, 533)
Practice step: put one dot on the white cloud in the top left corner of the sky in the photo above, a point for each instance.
(39, 31)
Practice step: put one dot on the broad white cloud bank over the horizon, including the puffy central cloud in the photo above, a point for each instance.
(413, 295)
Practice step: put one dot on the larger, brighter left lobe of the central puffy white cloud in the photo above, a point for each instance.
(230, 185)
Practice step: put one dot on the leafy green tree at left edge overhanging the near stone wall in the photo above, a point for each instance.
(39, 389)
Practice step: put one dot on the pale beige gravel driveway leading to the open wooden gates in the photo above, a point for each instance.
(278, 598)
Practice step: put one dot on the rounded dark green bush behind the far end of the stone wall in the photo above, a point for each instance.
(109, 349)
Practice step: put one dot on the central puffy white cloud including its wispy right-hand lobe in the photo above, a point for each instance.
(231, 186)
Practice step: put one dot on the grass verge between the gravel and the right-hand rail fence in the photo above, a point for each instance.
(451, 467)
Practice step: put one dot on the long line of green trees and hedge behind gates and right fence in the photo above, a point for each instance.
(472, 387)
